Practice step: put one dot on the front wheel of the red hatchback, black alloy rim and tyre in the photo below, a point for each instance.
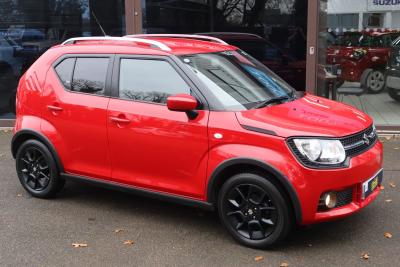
(254, 211)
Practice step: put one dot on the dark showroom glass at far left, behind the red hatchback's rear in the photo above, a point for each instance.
(28, 28)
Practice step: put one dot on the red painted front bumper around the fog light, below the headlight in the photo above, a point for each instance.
(314, 182)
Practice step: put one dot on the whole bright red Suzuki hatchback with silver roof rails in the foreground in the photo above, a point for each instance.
(196, 121)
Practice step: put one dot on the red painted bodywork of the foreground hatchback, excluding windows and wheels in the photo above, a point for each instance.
(147, 146)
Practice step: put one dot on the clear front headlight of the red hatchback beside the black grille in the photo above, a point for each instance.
(321, 151)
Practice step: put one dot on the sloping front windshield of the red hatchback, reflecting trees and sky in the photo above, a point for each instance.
(239, 81)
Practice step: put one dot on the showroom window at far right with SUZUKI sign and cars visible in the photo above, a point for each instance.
(359, 55)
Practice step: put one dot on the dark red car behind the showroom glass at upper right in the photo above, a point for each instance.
(359, 52)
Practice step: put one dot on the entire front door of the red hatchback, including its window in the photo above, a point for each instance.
(151, 146)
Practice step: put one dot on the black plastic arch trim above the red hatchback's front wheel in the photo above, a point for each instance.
(281, 178)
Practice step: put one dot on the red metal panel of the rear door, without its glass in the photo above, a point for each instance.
(82, 120)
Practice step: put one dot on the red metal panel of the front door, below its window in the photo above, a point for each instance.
(180, 163)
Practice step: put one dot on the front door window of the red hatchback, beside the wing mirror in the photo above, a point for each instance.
(149, 80)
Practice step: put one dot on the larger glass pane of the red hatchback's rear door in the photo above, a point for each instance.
(90, 75)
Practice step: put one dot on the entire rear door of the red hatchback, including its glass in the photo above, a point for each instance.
(76, 97)
